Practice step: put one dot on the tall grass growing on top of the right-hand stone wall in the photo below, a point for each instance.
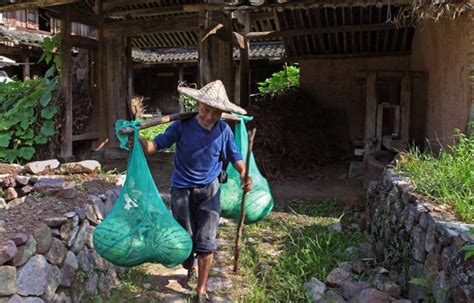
(447, 178)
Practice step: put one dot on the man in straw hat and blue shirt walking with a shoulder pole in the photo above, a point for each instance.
(202, 144)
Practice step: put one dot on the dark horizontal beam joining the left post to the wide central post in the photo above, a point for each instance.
(159, 25)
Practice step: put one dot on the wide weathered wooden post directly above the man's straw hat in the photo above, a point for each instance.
(215, 50)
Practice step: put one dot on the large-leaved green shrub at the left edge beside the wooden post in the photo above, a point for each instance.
(27, 110)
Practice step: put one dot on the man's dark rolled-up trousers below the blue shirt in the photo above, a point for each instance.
(198, 210)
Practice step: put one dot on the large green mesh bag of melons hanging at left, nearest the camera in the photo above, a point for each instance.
(140, 228)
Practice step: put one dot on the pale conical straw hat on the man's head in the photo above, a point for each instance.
(213, 94)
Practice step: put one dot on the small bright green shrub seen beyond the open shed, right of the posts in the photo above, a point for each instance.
(281, 81)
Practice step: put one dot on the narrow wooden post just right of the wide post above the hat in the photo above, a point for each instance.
(242, 89)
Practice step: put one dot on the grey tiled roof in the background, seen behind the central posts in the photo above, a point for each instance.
(261, 50)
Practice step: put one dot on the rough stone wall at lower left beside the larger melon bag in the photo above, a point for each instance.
(56, 262)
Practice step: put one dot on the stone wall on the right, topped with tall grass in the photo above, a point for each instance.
(421, 241)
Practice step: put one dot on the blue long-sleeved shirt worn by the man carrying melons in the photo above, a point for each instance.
(199, 152)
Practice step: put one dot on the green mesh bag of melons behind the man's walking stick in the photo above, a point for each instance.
(259, 201)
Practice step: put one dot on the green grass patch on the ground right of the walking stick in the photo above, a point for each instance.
(293, 245)
